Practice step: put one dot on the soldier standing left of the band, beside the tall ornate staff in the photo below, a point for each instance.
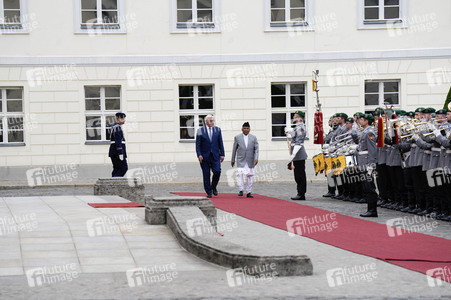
(298, 155)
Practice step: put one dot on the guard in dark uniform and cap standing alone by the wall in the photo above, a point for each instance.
(117, 151)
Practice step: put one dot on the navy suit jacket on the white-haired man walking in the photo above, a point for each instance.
(204, 146)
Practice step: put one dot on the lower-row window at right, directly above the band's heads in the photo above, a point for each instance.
(379, 93)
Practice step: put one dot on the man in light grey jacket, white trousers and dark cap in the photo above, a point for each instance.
(245, 150)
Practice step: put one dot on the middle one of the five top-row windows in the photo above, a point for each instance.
(195, 15)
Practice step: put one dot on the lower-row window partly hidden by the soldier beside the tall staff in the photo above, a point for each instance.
(286, 99)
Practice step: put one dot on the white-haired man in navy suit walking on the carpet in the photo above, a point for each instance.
(210, 152)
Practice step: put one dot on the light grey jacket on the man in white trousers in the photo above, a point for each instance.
(245, 155)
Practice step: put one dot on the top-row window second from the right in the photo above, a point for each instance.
(285, 15)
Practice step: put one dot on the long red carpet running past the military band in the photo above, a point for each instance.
(414, 251)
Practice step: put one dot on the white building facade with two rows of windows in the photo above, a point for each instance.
(66, 67)
